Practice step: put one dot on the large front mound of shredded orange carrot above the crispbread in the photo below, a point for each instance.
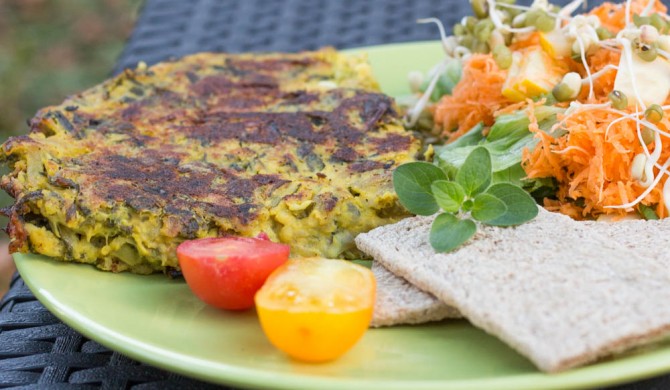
(593, 165)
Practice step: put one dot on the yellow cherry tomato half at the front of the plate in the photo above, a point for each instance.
(316, 309)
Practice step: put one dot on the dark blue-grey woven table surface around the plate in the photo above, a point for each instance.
(36, 349)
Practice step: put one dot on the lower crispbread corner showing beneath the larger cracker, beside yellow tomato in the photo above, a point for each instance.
(399, 302)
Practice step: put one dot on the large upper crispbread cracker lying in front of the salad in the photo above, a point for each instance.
(558, 291)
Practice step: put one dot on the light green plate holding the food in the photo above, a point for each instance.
(159, 321)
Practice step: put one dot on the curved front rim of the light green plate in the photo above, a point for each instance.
(599, 374)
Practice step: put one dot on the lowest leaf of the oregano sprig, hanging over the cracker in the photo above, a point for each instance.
(448, 232)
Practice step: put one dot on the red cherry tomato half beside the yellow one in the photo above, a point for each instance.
(226, 272)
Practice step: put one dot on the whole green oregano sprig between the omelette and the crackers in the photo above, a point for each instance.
(425, 189)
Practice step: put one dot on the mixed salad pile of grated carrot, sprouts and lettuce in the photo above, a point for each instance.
(571, 107)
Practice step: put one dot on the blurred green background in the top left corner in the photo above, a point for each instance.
(50, 49)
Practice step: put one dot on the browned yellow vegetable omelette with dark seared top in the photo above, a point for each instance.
(299, 146)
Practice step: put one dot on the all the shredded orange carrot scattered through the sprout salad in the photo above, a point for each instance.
(591, 152)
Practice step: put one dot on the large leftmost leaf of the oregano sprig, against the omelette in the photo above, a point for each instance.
(412, 183)
